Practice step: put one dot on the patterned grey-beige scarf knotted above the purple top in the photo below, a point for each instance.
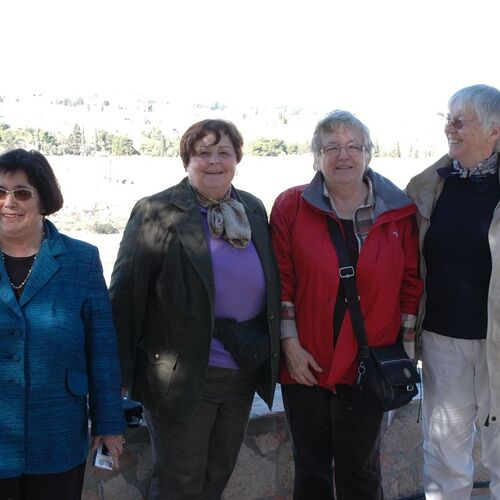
(226, 218)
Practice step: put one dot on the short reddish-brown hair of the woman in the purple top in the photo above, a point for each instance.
(199, 130)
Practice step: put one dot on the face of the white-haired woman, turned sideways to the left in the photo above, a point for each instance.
(470, 143)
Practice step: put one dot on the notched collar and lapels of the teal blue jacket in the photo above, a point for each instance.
(44, 267)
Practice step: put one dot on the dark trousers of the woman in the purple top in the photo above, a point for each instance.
(193, 458)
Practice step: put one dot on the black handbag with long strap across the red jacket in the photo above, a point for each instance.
(387, 373)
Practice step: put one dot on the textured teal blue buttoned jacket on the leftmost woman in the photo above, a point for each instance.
(57, 346)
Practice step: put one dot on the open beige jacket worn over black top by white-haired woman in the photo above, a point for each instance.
(425, 189)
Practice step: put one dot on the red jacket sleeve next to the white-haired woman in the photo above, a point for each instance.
(411, 286)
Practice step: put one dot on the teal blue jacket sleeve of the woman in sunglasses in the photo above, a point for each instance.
(103, 367)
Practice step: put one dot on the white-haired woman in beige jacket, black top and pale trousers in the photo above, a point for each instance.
(459, 317)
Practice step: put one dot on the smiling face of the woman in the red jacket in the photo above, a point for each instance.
(342, 167)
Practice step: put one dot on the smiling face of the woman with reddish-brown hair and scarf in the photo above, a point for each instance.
(212, 167)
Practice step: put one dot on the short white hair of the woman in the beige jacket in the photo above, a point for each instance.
(484, 101)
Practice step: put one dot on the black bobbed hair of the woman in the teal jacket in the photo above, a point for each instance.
(39, 173)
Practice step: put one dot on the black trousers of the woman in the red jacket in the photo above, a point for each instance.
(336, 444)
